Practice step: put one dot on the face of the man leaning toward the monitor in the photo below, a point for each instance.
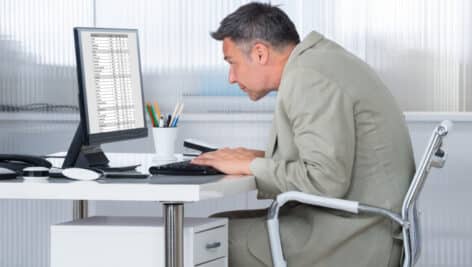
(246, 71)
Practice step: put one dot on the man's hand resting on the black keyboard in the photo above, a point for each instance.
(229, 160)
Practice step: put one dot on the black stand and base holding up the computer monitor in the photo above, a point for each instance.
(91, 156)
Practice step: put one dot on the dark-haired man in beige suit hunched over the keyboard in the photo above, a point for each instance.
(337, 132)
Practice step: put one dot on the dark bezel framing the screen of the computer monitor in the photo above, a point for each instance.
(113, 136)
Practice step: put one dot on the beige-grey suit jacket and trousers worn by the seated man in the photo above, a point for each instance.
(337, 132)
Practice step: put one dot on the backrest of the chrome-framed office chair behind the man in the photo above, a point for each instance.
(434, 156)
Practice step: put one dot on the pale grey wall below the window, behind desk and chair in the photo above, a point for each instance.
(444, 203)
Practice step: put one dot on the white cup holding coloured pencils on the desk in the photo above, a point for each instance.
(164, 143)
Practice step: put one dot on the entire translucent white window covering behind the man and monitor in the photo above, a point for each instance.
(420, 48)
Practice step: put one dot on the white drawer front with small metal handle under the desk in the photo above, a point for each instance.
(211, 244)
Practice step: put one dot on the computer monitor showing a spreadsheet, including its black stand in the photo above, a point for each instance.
(110, 93)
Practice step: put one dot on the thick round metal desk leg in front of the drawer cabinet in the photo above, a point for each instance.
(173, 227)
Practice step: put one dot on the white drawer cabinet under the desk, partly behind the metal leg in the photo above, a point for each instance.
(136, 241)
